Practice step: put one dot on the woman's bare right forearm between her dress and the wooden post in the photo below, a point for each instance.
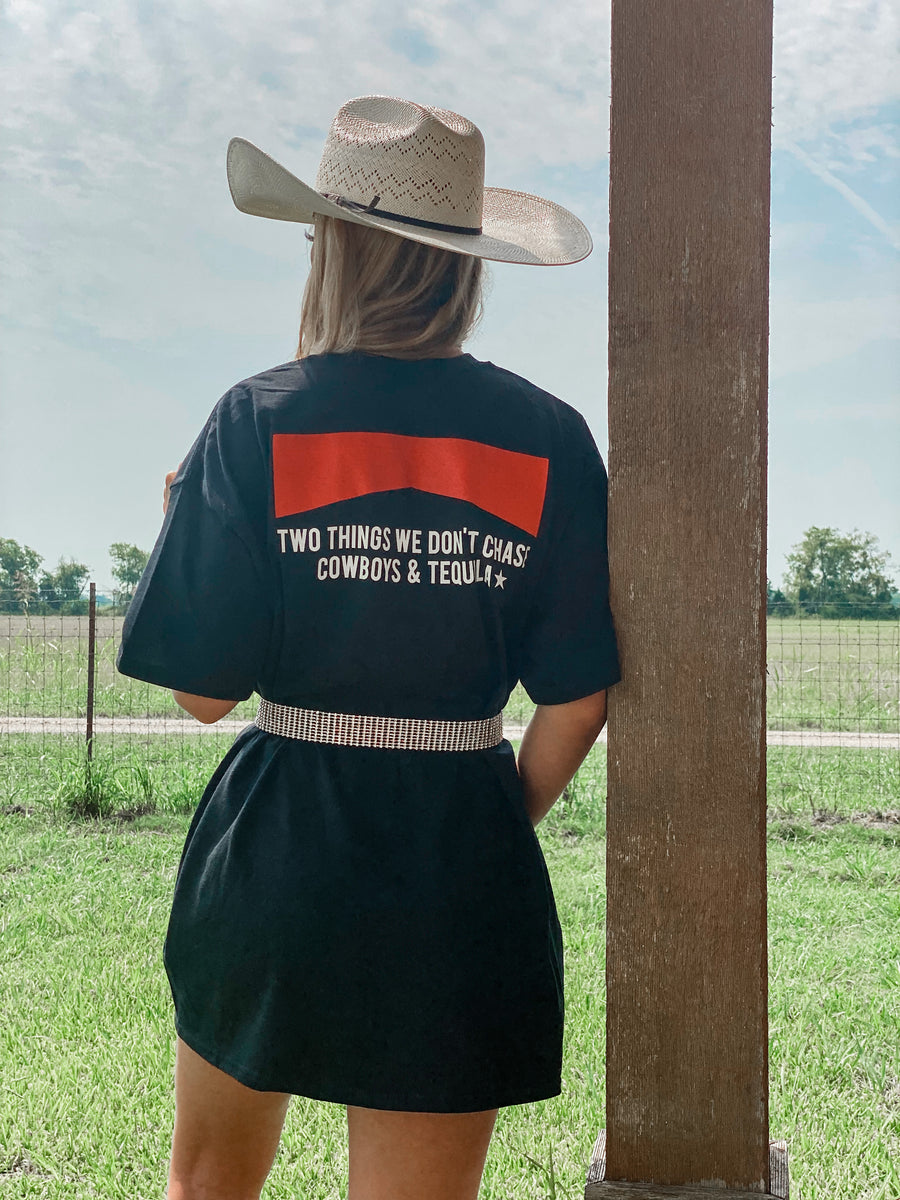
(555, 746)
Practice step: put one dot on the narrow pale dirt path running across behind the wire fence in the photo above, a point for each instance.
(175, 727)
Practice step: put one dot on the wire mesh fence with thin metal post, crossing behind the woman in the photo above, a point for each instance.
(73, 728)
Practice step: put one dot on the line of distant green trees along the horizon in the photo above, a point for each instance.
(829, 575)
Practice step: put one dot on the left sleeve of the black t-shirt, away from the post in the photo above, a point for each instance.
(201, 617)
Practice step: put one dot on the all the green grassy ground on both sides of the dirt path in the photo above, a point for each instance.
(88, 1048)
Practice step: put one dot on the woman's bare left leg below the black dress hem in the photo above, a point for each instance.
(226, 1135)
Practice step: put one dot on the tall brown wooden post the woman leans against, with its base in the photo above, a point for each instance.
(687, 1077)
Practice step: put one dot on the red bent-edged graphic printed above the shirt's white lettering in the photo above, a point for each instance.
(315, 470)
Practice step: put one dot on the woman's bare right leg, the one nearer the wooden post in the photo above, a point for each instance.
(417, 1156)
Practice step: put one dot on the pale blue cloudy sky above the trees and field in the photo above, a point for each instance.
(135, 295)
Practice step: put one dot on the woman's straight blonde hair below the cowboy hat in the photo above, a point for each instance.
(379, 293)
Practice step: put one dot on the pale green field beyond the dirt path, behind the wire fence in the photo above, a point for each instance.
(823, 675)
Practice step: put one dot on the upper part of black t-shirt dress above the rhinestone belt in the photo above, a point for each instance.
(364, 535)
